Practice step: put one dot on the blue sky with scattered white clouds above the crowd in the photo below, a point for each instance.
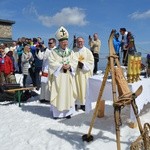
(81, 18)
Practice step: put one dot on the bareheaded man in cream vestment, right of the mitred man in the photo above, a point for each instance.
(84, 70)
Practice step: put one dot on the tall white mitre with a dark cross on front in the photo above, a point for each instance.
(62, 34)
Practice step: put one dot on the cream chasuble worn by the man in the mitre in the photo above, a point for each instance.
(63, 87)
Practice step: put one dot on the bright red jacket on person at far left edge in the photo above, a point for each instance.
(6, 65)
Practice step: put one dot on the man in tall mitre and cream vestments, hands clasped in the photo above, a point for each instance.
(62, 67)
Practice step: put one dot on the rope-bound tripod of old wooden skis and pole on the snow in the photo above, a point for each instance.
(126, 97)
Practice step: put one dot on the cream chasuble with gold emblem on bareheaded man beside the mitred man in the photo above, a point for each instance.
(85, 56)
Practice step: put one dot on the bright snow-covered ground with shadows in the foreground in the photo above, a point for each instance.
(32, 127)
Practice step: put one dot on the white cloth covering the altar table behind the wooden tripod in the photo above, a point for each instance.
(93, 88)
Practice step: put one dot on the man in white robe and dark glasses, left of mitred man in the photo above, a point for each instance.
(43, 55)
